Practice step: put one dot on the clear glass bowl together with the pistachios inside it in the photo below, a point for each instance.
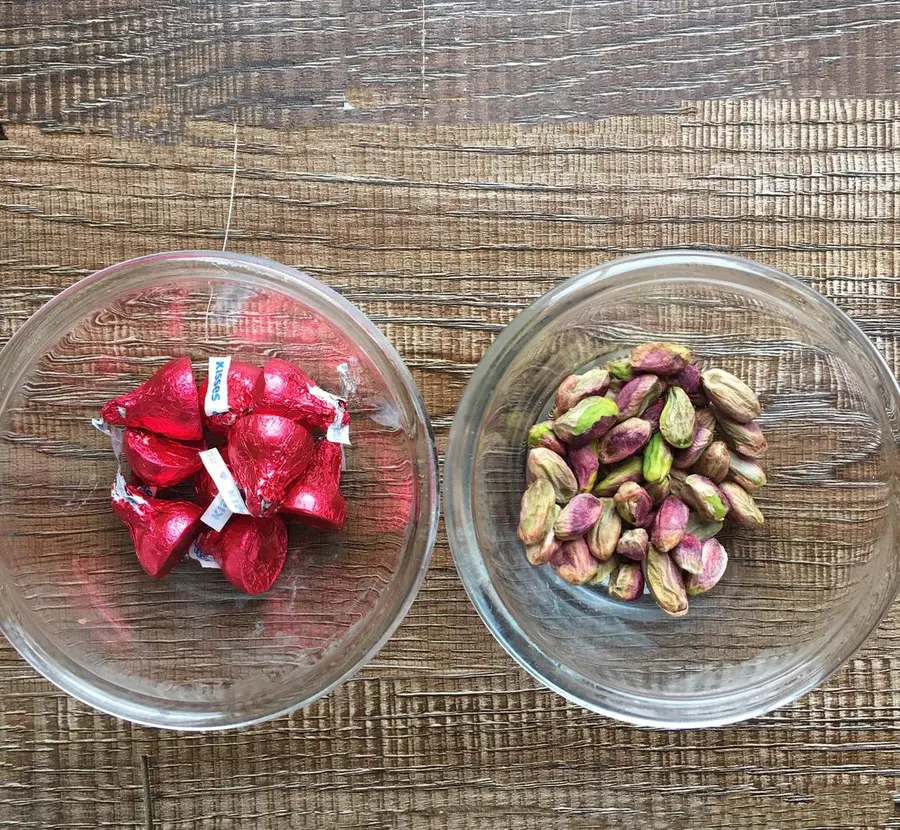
(802, 589)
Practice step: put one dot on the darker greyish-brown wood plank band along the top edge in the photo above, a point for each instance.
(147, 68)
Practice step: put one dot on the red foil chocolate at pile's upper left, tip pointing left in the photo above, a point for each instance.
(166, 403)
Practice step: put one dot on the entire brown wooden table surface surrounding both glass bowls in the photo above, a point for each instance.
(442, 164)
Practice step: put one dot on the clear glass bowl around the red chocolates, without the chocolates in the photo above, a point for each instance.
(190, 651)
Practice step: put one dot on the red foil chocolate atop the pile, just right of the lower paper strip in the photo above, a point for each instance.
(266, 454)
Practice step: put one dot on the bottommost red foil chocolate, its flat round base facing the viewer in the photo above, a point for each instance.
(250, 551)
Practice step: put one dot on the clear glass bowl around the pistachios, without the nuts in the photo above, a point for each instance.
(800, 595)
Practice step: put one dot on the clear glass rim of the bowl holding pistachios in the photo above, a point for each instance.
(458, 464)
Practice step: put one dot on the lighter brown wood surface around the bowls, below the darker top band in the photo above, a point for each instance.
(442, 235)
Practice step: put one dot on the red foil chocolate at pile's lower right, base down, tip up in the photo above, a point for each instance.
(316, 497)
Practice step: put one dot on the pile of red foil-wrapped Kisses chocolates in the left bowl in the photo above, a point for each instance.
(259, 444)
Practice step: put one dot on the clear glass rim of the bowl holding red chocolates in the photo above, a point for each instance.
(100, 694)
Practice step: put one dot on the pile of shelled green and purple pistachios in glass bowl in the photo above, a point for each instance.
(640, 465)
